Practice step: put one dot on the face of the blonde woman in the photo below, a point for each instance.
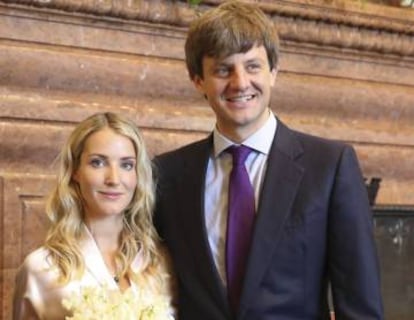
(106, 175)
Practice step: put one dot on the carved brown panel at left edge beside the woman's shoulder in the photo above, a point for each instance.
(23, 226)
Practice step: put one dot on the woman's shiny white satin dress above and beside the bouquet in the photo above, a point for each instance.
(38, 294)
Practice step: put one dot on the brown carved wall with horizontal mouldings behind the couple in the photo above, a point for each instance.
(347, 73)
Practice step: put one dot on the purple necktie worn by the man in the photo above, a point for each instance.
(239, 224)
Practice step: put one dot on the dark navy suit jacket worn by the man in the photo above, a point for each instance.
(313, 226)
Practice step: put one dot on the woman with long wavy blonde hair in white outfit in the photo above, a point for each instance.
(101, 233)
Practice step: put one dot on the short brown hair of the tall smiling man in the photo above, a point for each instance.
(232, 27)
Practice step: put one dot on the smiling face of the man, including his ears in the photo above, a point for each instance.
(238, 88)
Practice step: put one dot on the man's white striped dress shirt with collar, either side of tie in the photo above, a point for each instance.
(217, 182)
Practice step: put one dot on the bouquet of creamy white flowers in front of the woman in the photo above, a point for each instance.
(100, 303)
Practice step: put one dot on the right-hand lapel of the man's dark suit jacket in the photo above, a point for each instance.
(283, 176)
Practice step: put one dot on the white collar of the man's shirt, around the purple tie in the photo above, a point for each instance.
(261, 140)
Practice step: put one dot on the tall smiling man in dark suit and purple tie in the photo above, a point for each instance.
(311, 227)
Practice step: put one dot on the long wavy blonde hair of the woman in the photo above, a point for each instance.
(65, 208)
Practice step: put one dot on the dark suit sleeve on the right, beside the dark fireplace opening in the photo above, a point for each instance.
(353, 265)
